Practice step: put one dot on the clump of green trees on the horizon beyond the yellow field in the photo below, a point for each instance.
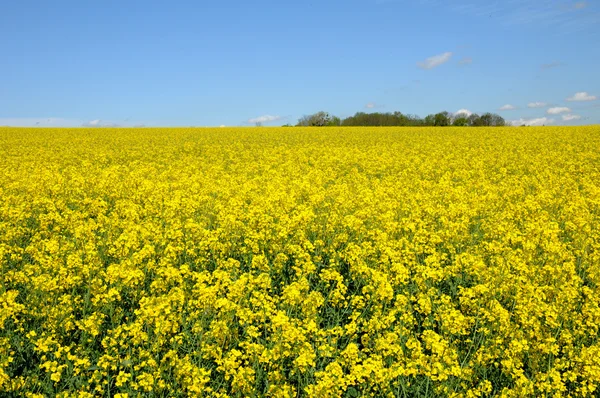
(400, 119)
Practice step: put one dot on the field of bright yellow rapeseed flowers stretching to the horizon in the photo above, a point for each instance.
(285, 262)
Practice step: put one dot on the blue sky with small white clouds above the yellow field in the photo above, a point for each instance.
(201, 63)
